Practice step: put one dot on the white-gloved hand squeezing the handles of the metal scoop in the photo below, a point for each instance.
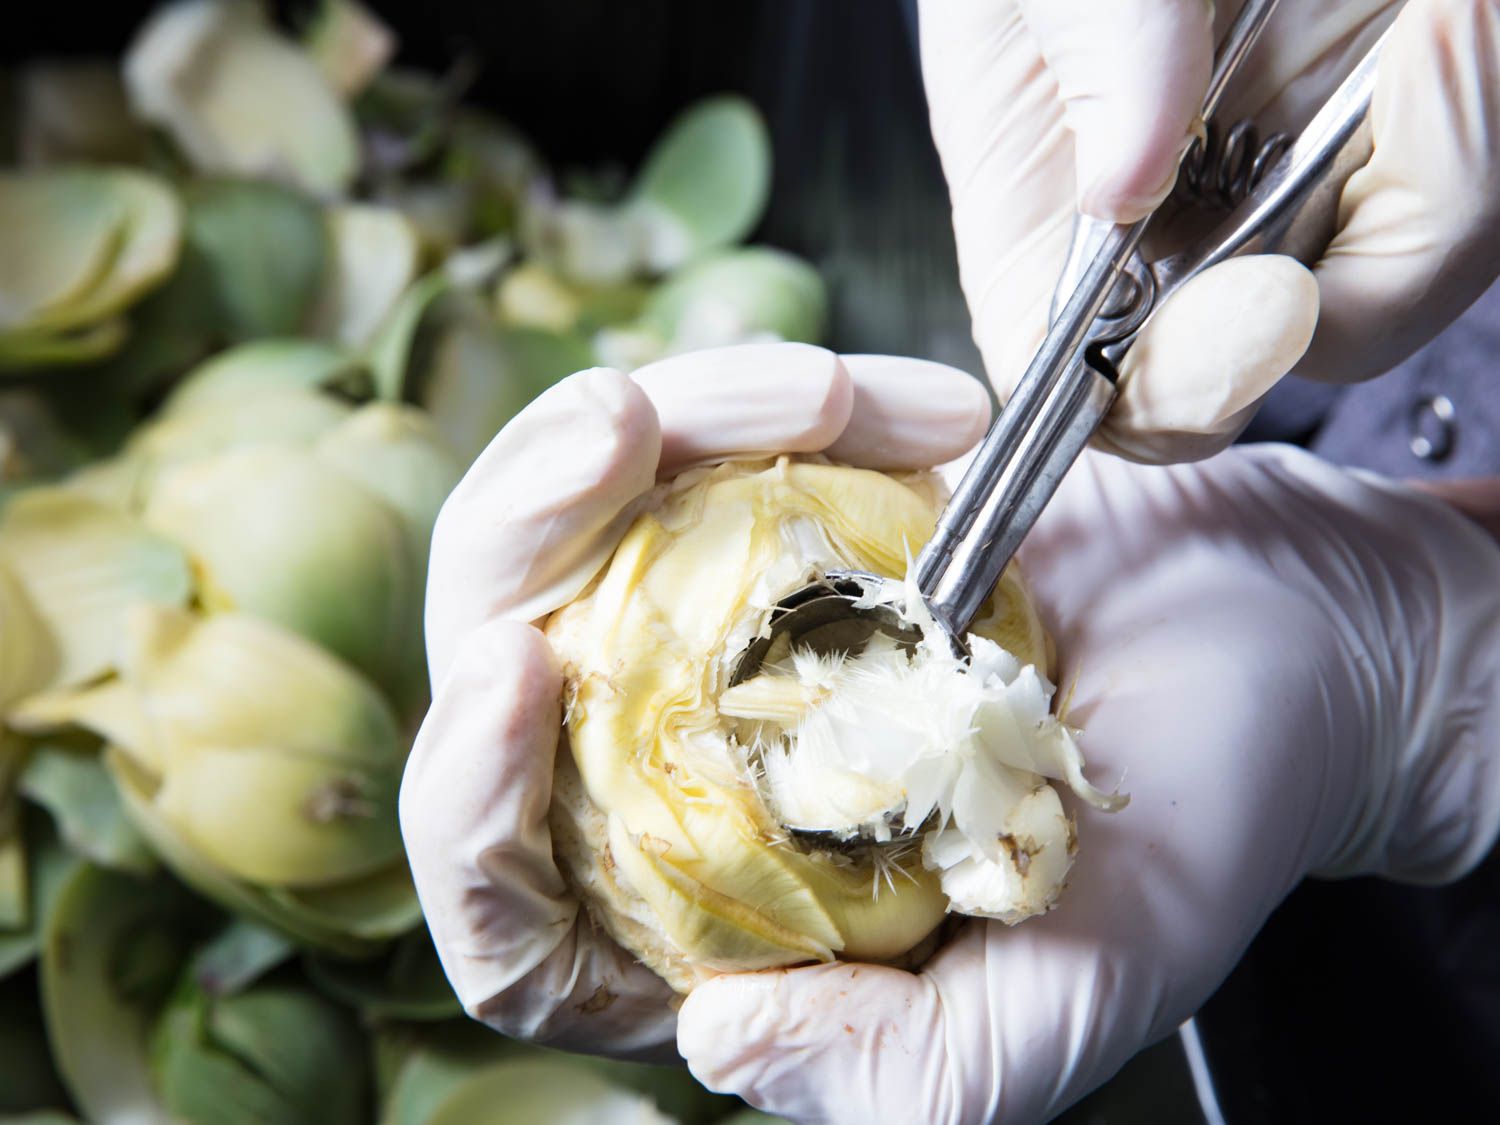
(1043, 106)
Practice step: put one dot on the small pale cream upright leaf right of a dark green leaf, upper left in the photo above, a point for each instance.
(374, 259)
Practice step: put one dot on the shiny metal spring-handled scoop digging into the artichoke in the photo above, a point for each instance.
(1106, 295)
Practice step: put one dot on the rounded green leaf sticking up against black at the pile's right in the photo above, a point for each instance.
(706, 182)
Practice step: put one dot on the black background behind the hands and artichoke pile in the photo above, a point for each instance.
(1360, 1001)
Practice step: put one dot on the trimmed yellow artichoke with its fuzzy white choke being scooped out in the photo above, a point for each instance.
(673, 797)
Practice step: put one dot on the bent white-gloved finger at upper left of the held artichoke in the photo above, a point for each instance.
(541, 509)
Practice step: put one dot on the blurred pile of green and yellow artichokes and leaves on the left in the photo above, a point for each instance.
(263, 298)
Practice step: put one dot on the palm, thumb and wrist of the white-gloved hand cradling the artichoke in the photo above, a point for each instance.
(1289, 668)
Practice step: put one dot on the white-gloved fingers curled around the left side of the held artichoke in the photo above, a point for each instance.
(523, 535)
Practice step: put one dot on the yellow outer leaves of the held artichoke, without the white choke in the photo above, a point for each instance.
(661, 814)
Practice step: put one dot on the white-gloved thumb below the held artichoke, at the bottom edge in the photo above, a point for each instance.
(832, 1043)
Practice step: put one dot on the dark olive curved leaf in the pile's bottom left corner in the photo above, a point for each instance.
(97, 1028)
